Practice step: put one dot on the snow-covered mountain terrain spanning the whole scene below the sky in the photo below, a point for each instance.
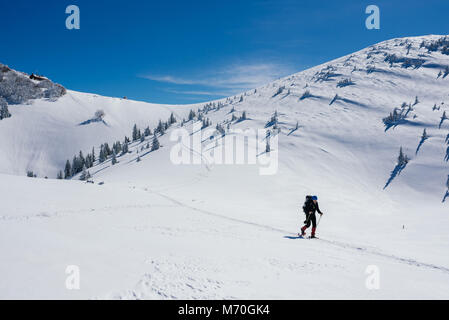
(351, 131)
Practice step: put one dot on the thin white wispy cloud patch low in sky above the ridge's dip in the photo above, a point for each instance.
(226, 81)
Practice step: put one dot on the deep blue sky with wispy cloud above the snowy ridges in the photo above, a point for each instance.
(193, 51)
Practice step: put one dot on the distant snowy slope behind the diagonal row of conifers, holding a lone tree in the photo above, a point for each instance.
(42, 135)
